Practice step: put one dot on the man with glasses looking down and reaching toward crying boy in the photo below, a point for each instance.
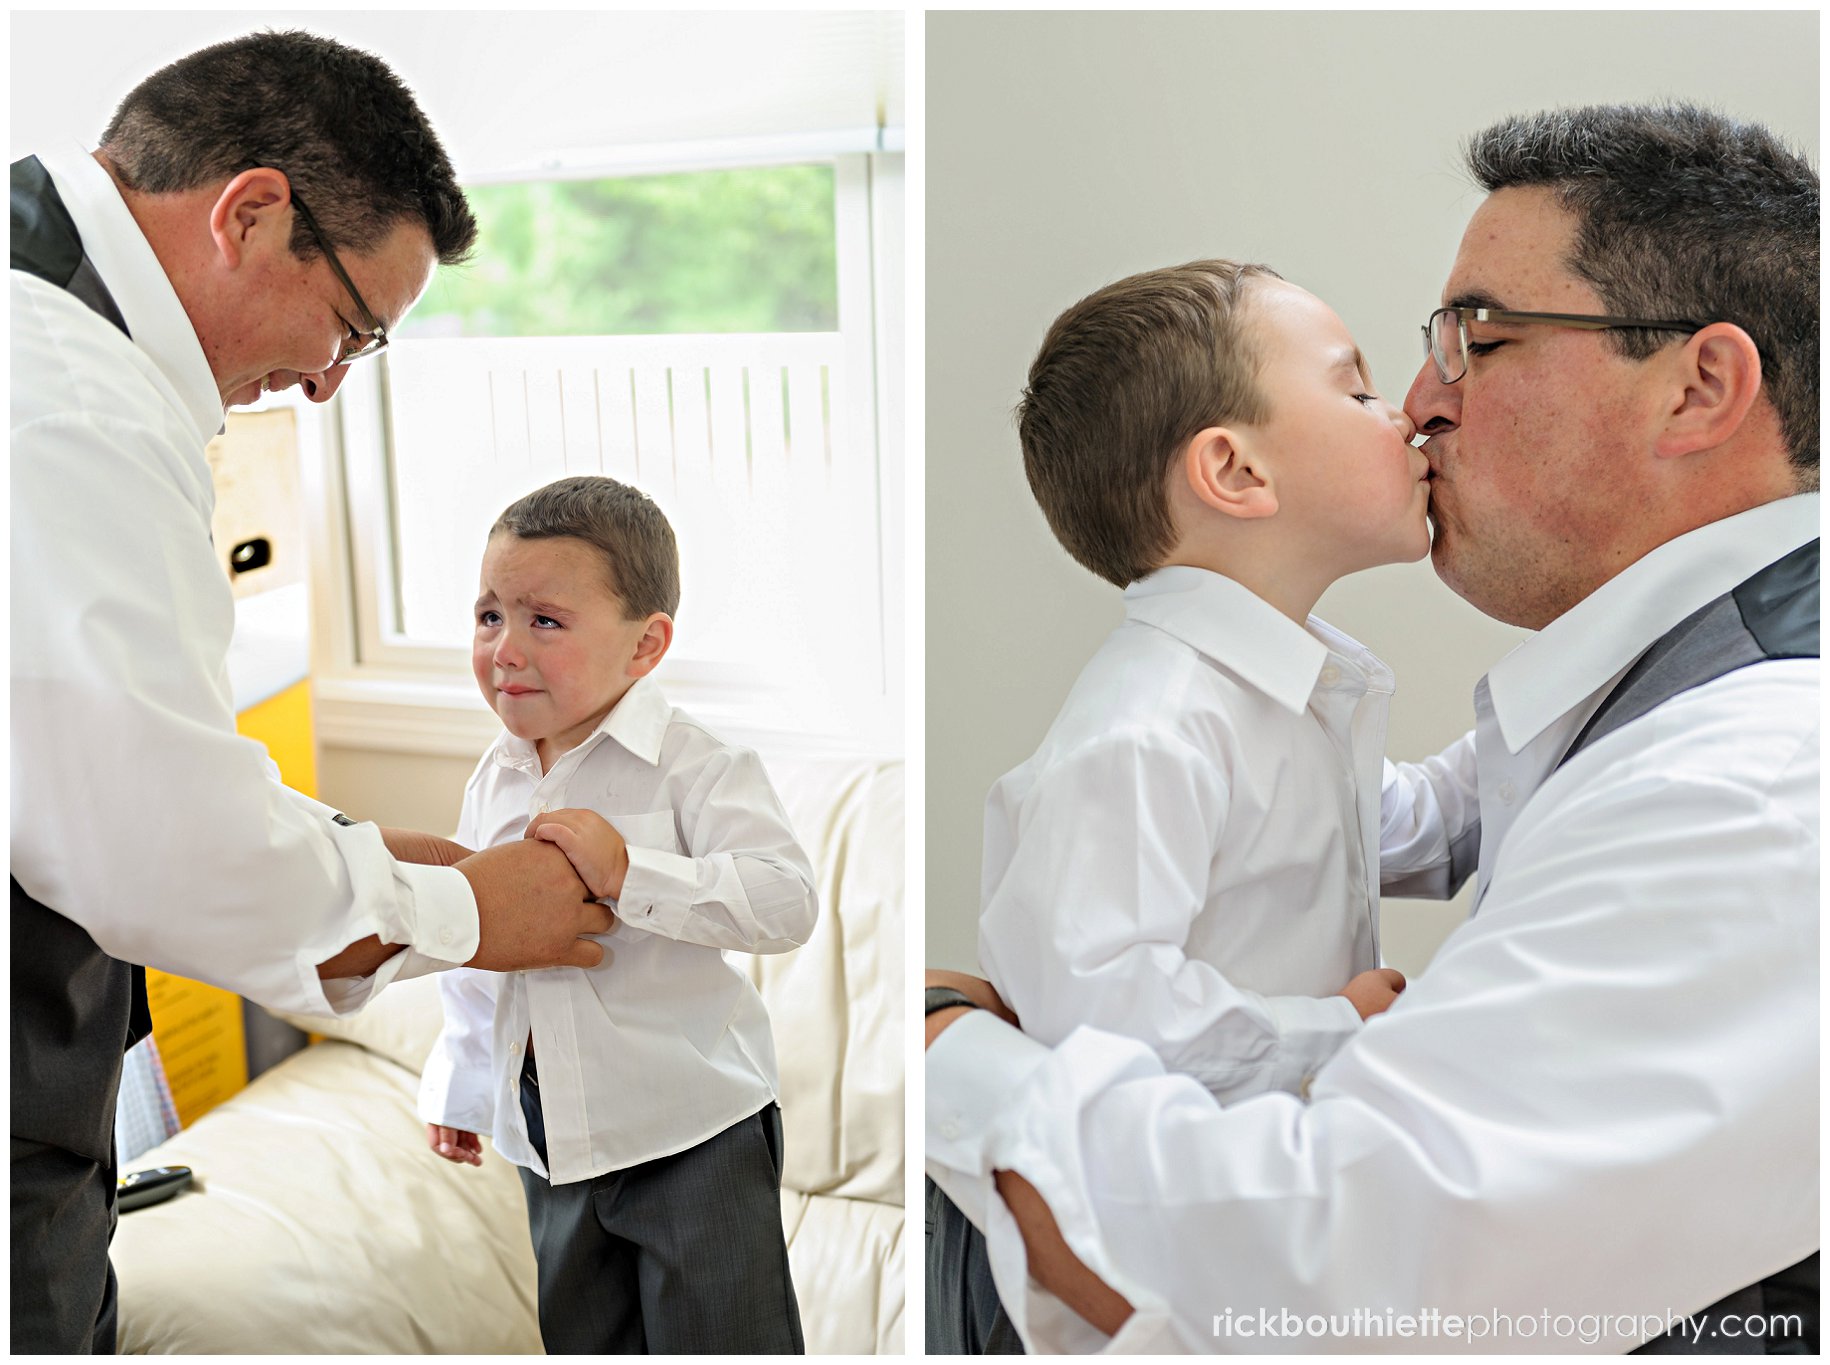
(156, 283)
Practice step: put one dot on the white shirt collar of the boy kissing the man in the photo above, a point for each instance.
(1233, 627)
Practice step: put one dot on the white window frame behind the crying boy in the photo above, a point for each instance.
(378, 691)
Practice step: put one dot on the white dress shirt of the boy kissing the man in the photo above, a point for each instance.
(1190, 857)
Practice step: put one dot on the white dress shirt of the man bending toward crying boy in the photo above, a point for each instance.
(138, 811)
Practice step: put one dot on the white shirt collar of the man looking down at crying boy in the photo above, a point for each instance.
(127, 264)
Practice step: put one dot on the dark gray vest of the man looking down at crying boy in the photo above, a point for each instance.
(76, 1011)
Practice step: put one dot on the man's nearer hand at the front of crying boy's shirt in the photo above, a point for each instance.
(532, 910)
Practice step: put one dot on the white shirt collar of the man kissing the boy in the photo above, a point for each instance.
(1595, 641)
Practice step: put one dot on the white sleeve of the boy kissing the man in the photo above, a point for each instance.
(1092, 918)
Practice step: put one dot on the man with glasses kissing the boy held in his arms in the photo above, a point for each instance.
(1600, 1104)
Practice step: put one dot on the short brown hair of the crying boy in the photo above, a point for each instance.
(641, 561)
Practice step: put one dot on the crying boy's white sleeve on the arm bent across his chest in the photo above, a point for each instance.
(744, 885)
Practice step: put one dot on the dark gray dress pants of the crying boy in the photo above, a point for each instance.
(682, 1254)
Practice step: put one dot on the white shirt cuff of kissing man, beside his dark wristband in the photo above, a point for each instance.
(974, 1068)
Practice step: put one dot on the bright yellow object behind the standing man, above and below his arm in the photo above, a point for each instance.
(202, 1042)
